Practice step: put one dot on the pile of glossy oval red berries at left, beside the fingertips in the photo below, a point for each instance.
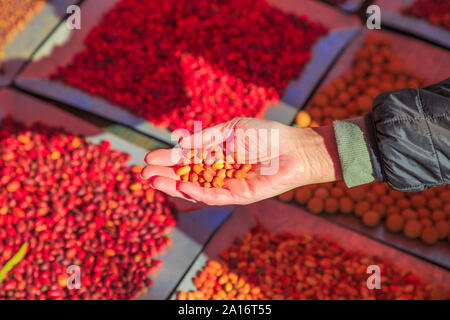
(68, 202)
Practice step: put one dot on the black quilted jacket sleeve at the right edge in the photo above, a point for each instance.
(410, 131)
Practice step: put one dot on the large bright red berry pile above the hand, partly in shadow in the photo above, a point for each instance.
(184, 60)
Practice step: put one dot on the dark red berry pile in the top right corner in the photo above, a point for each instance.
(435, 11)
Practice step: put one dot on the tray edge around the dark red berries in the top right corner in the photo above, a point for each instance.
(392, 16)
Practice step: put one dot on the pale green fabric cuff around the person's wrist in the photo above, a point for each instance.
(354, 152)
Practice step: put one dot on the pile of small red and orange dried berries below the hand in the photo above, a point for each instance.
(265, 265)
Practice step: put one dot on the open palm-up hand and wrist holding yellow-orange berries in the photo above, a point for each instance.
(304, 156)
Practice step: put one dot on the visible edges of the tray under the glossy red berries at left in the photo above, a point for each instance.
(194, 228)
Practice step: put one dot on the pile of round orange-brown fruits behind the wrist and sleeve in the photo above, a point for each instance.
(375, 69)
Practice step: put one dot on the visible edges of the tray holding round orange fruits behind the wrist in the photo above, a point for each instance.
(421, 59)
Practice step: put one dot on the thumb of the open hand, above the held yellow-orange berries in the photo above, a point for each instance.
(209, 137)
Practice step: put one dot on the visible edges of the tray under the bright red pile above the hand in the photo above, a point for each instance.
(61, 47)
